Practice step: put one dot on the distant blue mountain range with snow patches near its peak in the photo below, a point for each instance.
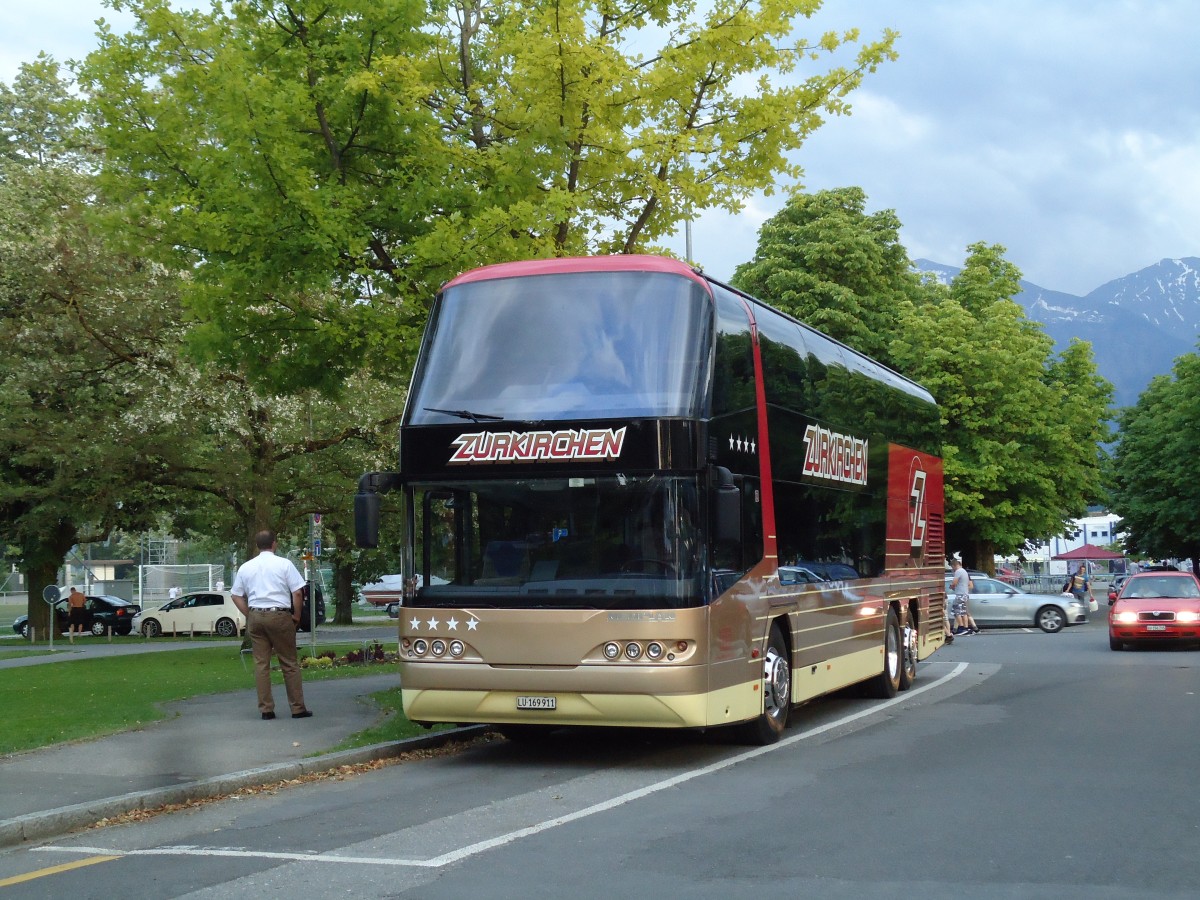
(1138, 325)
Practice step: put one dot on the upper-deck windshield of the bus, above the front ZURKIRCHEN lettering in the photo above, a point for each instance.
(567, 346)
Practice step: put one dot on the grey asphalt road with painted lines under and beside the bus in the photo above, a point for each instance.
(1023, 765)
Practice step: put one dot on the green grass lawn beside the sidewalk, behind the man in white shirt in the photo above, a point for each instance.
(115, 694)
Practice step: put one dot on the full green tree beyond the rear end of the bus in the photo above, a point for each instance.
(1023, 429)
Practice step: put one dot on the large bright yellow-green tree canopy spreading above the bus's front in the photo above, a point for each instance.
(322, 166)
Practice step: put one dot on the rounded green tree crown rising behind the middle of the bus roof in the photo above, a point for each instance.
(837, 268)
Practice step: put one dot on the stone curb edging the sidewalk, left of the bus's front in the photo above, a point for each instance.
(52, 824)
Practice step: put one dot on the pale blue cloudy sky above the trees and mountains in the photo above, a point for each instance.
(1066, 131)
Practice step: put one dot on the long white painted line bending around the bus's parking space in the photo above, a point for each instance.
(545, 826)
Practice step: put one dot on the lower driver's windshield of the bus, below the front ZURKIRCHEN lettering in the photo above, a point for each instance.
(607, 543)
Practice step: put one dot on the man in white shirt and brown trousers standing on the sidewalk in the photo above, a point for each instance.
(269, 591)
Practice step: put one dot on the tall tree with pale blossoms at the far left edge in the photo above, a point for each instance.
(76, 320)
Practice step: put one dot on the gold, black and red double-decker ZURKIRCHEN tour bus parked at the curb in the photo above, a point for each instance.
(634, 496)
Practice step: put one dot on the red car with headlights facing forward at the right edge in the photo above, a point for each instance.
(1156, 607)
